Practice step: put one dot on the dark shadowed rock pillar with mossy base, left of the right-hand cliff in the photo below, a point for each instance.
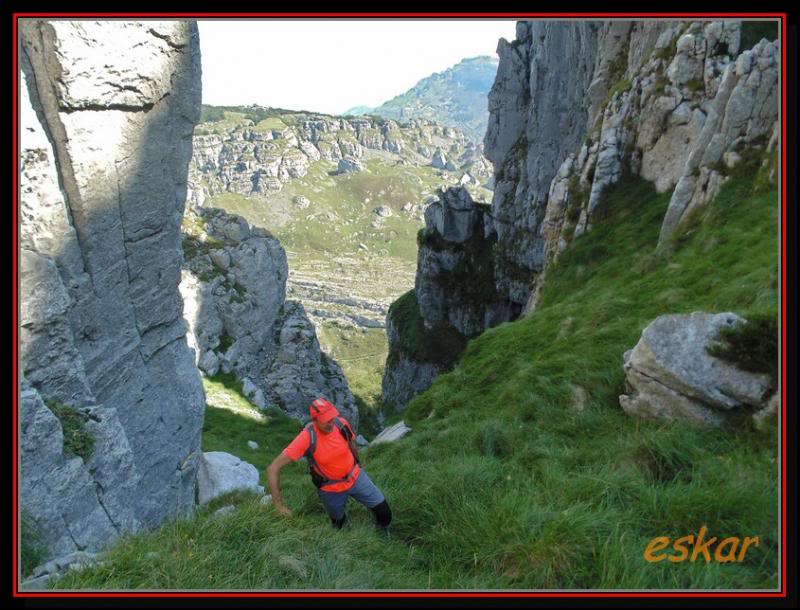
(454, 296)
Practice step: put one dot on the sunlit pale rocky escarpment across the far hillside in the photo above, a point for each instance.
(256, 161)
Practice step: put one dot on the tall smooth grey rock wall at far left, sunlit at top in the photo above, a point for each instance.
(107, 113)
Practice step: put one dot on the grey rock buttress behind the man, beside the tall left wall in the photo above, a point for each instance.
(234, 291)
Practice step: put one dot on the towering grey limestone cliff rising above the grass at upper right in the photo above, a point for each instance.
(577, 105)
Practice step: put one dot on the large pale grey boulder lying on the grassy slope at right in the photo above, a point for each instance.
(670, 375)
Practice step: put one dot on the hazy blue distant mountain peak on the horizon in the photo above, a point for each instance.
(457, 97)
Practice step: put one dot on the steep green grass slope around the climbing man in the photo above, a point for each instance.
(521, 470)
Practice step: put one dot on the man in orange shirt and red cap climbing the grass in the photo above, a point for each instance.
(329, 444)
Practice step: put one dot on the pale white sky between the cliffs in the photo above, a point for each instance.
(332, 65)
